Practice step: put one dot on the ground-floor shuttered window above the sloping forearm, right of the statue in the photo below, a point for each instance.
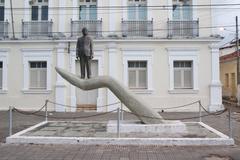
(137, 74)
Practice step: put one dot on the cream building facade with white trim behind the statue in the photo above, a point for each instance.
(160, 50)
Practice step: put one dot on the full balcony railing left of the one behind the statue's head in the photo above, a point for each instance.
(37, 29)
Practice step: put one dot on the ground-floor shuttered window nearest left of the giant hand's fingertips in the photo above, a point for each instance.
(38, 75)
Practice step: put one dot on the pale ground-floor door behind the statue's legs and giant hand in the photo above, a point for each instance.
(87, 100)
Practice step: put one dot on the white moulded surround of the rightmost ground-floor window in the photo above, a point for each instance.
(183, 54)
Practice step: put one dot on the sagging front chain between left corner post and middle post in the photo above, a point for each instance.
(54, 117)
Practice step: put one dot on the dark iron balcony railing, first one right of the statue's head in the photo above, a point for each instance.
(137, 28)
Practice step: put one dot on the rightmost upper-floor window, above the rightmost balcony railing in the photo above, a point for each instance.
(182, 10)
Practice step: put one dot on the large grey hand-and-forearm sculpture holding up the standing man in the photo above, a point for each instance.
(136, 105)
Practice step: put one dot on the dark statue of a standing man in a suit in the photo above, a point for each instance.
(84, 52)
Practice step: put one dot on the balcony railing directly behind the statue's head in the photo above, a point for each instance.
(94, 27)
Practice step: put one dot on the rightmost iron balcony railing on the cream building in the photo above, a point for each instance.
(183, 29)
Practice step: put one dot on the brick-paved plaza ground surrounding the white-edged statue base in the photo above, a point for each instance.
(81, 152)
